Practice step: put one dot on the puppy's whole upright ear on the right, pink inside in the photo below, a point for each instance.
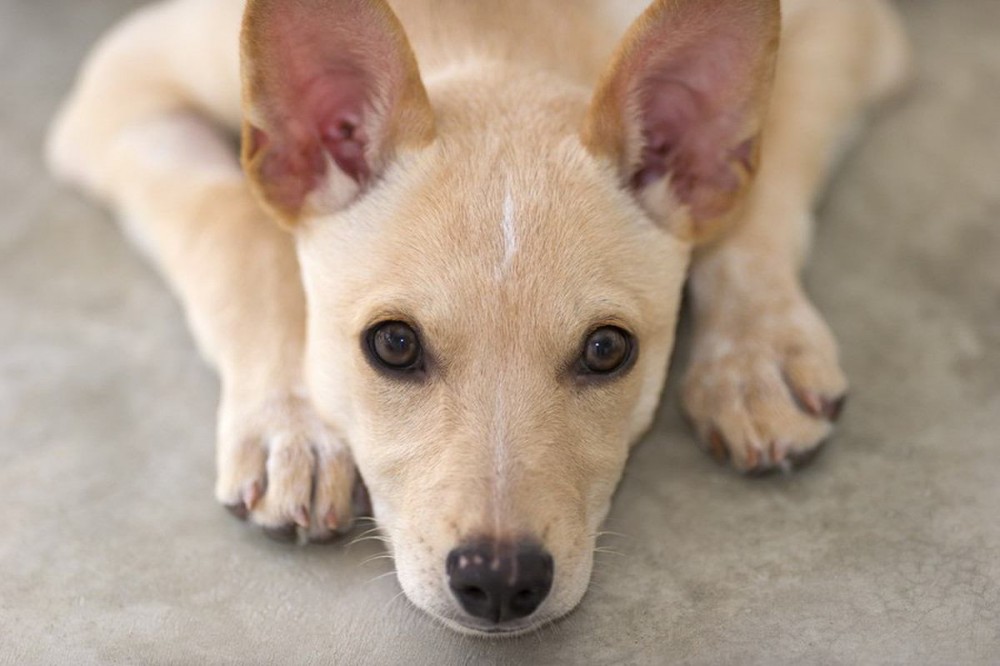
(681, 108)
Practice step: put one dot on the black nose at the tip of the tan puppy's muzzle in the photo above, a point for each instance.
(499, 582)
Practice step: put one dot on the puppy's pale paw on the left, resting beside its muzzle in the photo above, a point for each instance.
(282, 468)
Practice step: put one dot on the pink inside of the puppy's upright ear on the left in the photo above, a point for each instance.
(316, 73)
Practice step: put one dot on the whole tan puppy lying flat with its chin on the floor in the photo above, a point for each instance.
(450, 256)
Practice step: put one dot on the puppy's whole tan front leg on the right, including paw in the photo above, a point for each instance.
(764, 384)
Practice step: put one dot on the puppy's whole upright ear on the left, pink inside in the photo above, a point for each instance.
(331, 92)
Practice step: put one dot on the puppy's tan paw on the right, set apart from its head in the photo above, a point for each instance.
(764, 386)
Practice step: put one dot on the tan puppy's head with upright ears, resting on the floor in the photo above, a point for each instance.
(494, 265)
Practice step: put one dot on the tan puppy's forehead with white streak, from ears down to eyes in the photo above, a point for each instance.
(549, 242)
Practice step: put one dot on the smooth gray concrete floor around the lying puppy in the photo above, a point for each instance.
(887, 550)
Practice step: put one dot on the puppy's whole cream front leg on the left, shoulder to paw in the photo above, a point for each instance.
(126, 136)
